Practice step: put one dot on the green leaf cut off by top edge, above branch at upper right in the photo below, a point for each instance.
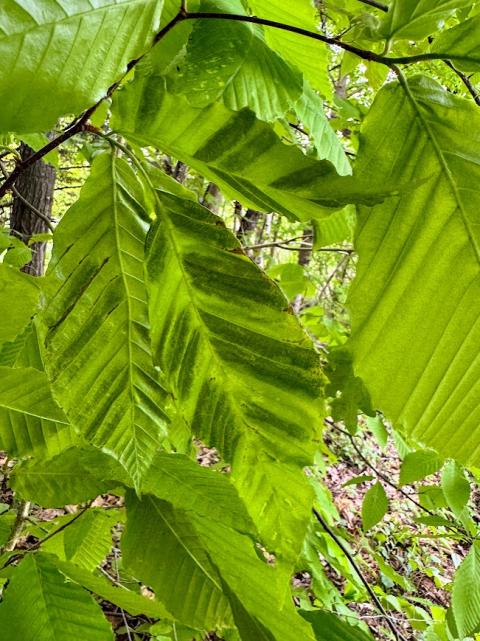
(417, 19)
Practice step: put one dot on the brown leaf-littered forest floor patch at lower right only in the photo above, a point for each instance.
(425, 561)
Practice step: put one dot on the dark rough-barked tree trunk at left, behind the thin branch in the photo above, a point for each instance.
(36, 186)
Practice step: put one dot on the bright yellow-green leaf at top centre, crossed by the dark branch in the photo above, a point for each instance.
(310, 56)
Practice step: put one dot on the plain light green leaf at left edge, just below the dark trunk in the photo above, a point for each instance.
(24, 290)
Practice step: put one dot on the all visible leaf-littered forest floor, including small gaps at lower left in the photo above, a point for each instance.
(426, 563)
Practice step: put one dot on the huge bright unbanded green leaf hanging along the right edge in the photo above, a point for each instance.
(419, 258)
